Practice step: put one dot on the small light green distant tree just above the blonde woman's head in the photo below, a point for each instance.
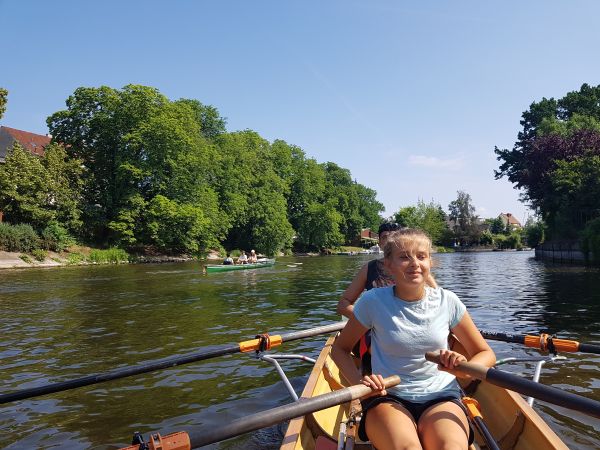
(428, 217)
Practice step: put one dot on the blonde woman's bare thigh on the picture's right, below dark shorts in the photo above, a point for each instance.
(444, 425)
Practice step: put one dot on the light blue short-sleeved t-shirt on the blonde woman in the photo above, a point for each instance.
(401, 334)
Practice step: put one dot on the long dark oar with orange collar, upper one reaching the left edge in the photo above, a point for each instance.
(246, 346)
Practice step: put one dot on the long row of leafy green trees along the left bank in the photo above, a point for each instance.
(131, 168)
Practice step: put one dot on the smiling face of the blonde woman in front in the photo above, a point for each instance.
(409, 267)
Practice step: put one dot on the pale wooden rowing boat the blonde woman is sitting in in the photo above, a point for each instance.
(509, 418)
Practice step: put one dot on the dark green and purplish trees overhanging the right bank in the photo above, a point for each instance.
(556, 163)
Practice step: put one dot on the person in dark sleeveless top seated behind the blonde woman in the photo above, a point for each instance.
(371, 275)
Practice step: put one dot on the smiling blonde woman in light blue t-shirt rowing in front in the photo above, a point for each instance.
(407, 320)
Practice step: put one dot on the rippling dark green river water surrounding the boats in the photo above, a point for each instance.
(61, 323)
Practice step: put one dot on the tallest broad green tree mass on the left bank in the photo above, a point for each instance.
(136, 145)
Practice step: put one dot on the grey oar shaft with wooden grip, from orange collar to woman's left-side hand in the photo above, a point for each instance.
(270, 417)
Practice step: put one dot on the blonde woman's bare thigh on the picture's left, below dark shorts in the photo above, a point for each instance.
(391, 426)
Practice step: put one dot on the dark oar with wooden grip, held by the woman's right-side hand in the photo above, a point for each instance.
(526, 387)
